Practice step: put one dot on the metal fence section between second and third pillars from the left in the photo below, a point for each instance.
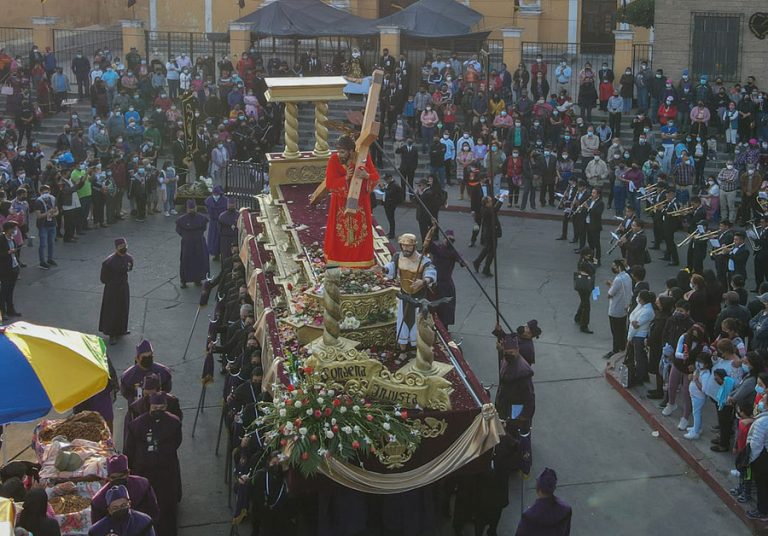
(207, 48)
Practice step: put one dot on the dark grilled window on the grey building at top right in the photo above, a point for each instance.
(716, 43)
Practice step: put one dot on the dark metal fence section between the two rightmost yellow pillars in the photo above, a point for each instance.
(576, 55)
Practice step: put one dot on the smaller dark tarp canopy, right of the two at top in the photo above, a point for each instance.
(434, 18)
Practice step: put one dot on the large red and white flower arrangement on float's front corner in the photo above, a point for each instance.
(309, 422)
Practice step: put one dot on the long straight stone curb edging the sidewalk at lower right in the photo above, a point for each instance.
(702, 468)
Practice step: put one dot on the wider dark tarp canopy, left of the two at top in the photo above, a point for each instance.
(307, 18)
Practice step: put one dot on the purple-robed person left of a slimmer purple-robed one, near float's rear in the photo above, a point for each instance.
(194, 252)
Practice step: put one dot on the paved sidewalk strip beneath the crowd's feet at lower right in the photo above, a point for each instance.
(712, 467)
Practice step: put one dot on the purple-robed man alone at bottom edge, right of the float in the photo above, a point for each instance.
(549, 515)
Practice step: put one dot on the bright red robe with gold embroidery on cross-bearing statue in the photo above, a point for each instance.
(349, 237)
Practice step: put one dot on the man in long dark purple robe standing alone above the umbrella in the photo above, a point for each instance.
(116, 300)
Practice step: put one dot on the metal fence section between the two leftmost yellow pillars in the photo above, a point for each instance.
(68, 43)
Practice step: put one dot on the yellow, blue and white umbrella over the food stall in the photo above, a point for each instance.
(43, 367)
